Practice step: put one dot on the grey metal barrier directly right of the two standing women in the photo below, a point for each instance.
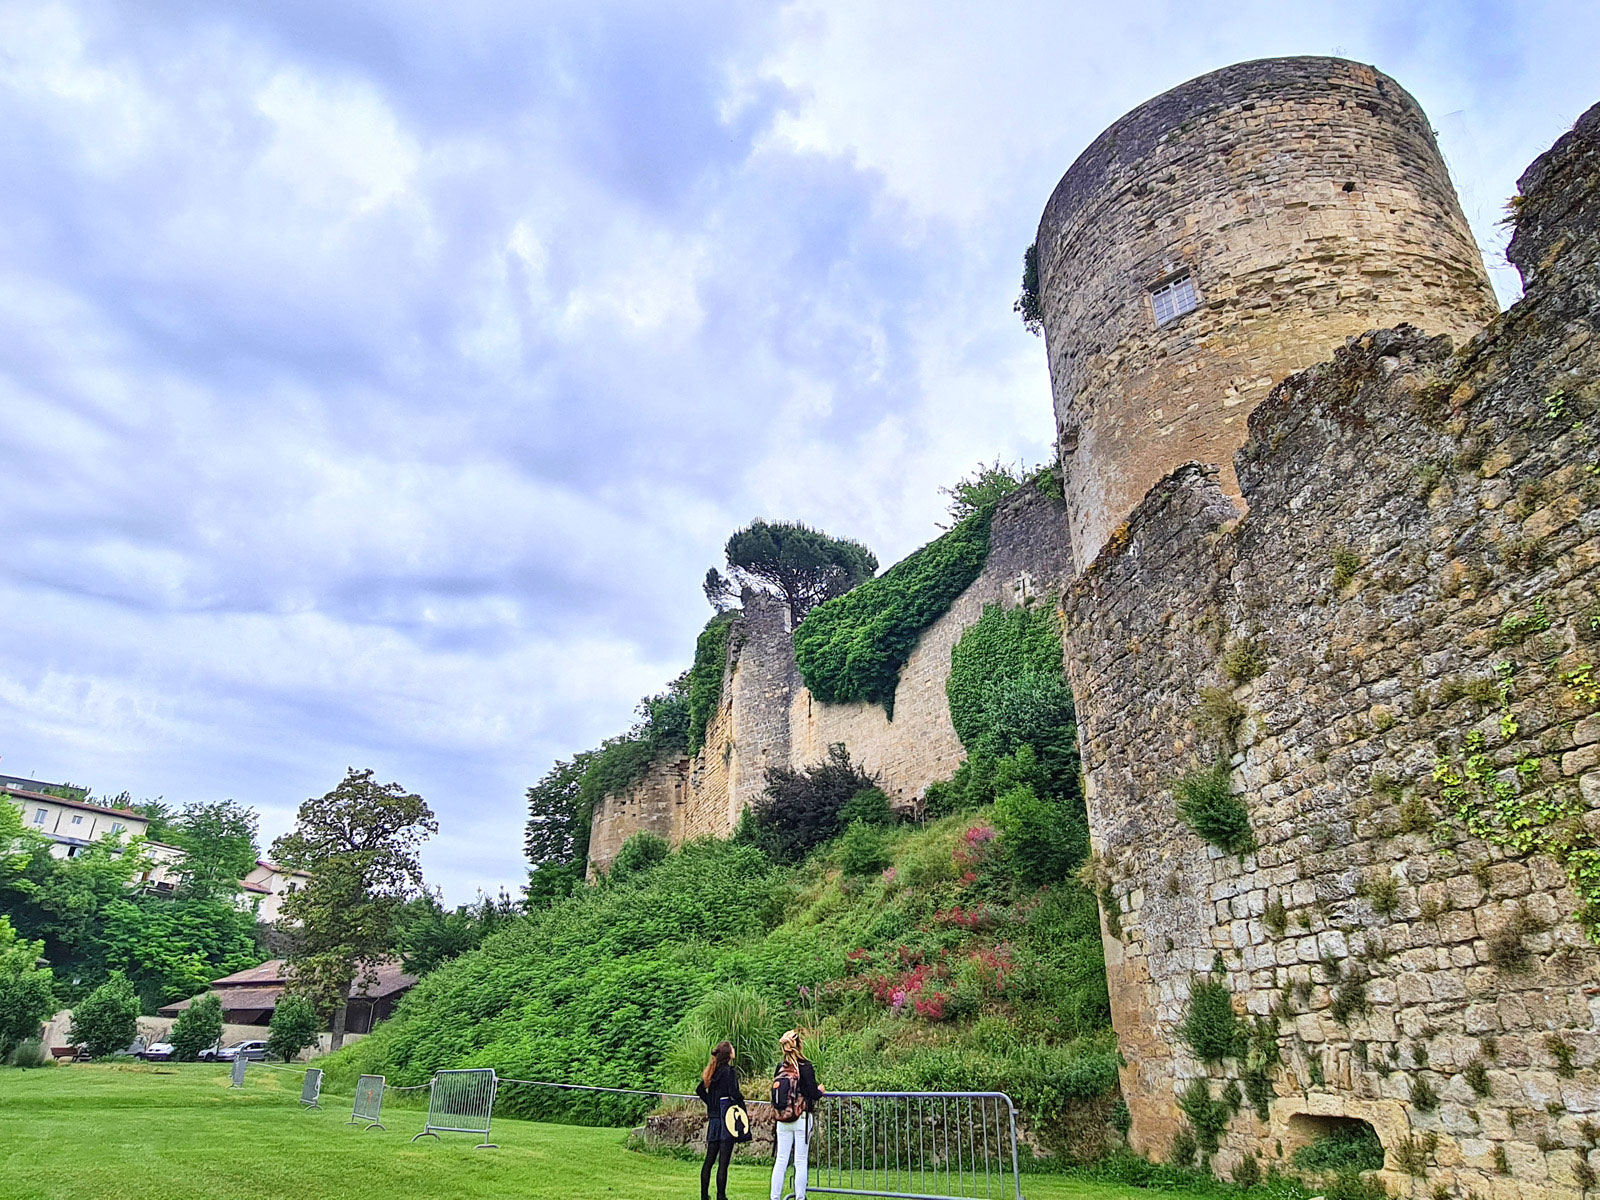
(916, 1146)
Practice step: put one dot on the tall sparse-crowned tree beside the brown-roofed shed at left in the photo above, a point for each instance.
(359, 842)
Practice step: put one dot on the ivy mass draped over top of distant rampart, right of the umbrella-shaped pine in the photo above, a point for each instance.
(854, 647)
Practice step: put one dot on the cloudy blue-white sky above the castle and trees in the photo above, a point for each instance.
(380, 378)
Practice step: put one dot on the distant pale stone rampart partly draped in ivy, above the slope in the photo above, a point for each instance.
(770, 719)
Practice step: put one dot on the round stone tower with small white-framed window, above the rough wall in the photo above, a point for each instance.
(1223, 236)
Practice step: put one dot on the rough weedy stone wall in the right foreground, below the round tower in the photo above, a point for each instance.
(1409, 625)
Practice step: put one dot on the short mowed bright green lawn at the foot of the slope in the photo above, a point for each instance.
(182, 1134)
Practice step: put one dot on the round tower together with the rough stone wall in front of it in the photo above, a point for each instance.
(1370, 609)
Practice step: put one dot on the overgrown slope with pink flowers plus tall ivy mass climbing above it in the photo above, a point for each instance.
(959, 954)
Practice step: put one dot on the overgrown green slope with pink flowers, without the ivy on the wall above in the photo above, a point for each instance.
(930, 974)
